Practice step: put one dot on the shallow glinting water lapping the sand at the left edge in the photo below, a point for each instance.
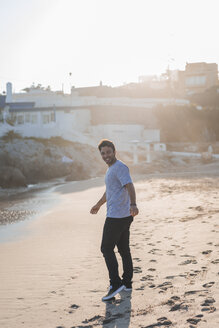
(18, 207)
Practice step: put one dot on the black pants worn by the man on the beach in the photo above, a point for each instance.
(116, 233)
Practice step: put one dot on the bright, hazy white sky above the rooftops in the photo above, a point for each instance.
(64, 43)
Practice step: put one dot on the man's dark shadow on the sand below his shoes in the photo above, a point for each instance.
(118, 311)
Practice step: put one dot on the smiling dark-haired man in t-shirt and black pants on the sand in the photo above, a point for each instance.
(121, 208)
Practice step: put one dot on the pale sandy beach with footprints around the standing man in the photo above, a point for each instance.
(53, 274)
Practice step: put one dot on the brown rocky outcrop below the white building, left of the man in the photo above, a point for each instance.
(27, 160)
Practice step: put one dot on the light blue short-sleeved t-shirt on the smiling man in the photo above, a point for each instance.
(117, 196)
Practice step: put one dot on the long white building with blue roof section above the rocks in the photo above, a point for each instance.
(43, 114)
